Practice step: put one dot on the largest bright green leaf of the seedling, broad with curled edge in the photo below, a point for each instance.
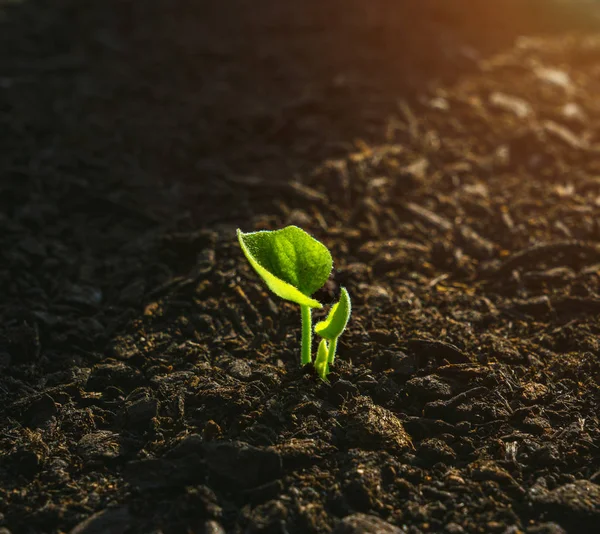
(291, 262)
